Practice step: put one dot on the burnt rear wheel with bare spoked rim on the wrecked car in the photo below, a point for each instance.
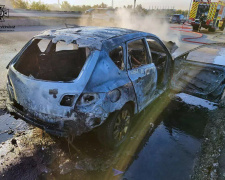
(114, 131)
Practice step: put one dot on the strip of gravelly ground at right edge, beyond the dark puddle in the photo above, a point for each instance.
(207, 165)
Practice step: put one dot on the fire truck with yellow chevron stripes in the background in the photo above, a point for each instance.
(214, 13)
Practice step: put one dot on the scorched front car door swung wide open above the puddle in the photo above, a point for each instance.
(201, 72)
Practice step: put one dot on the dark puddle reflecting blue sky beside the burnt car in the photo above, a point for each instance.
(171, 150)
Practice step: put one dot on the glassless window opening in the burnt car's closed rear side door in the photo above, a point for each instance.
(137, 53)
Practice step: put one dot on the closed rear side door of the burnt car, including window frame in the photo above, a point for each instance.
(141, 71)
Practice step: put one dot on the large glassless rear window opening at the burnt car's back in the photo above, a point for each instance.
(52, 61)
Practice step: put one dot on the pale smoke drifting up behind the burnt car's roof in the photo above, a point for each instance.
(125, 18)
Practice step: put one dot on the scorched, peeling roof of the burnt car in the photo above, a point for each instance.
(92, 37)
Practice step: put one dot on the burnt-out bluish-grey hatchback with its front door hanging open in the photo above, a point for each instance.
(73, 80)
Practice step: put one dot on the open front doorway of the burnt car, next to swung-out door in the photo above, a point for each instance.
(159, 58)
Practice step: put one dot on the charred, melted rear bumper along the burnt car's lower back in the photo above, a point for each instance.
(63, 127)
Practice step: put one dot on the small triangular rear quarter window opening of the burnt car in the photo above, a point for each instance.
(117, 57)
